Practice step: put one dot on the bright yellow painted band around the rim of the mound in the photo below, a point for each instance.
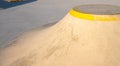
(94, 17)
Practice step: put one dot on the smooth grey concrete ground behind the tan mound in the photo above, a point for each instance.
(14, 21)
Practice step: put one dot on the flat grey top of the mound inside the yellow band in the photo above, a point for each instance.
(98, 9)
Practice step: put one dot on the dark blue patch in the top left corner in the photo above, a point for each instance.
(5, 5)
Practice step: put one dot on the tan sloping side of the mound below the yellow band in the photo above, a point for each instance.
(70, 42)
